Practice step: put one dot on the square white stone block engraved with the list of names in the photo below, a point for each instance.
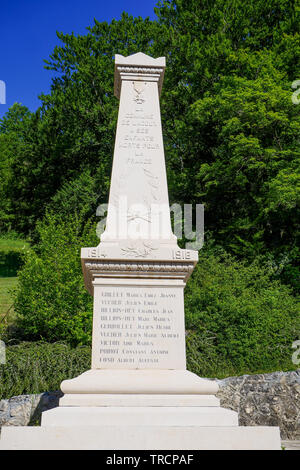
(138, 328)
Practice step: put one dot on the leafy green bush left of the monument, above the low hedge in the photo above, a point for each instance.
(51, 302)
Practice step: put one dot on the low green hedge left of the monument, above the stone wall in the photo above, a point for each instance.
(40, 367)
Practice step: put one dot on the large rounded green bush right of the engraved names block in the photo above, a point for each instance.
(238, 320)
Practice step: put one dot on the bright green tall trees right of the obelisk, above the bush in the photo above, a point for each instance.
(231, 129)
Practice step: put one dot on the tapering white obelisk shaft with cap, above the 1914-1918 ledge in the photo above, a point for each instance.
(138, 213)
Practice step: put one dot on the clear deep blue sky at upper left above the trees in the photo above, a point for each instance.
(28, 36)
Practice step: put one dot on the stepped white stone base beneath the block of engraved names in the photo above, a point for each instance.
(140, 410)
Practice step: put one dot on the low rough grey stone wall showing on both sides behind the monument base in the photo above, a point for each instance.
(263, 400)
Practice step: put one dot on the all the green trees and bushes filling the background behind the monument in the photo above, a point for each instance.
(232, 142)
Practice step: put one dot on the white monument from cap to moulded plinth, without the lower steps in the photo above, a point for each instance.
(137, 273)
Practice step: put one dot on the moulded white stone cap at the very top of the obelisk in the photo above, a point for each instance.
(138, 66)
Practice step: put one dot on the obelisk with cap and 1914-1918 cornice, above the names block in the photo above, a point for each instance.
(138, 241)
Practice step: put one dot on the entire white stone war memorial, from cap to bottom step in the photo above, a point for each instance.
(138, 393)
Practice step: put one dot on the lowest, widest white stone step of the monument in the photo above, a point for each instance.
(140, 438)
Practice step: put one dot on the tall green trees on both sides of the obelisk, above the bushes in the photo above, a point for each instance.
(231, 131)
